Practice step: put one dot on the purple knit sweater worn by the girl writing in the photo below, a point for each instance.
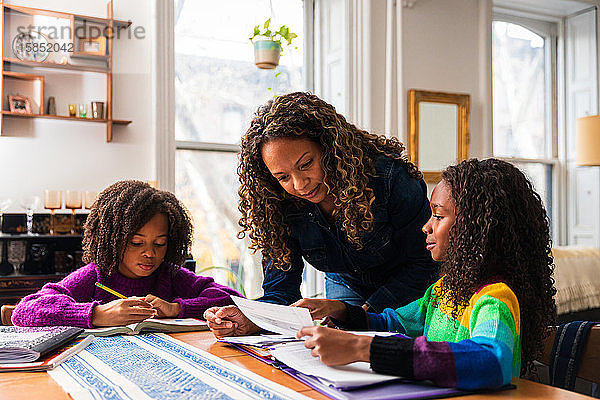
(70, 301)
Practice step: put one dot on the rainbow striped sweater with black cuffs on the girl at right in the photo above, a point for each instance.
(481, 349)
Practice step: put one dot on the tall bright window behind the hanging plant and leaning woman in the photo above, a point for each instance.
(217, 90)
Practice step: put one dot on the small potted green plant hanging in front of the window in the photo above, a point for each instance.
(267, 44)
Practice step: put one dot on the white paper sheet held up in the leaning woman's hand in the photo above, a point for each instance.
(284, 320)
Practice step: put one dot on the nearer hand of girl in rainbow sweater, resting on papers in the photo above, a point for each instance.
(335, 347)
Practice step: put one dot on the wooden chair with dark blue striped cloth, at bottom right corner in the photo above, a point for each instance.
(573, 351)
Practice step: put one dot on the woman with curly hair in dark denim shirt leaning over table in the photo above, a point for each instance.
(314, 186)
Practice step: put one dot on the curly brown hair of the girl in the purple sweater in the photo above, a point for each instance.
(124, 208)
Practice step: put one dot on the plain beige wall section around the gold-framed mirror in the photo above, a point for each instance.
(445, 45)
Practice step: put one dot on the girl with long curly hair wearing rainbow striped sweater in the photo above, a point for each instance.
(482, 323)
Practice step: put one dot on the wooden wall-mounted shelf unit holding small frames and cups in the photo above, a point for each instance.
(86, 62)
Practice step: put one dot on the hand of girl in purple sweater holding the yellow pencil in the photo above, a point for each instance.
(122, 312)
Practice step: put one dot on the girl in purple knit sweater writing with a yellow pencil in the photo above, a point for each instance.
(135, 238)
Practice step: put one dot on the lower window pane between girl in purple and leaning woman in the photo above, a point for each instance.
(207, 183)
